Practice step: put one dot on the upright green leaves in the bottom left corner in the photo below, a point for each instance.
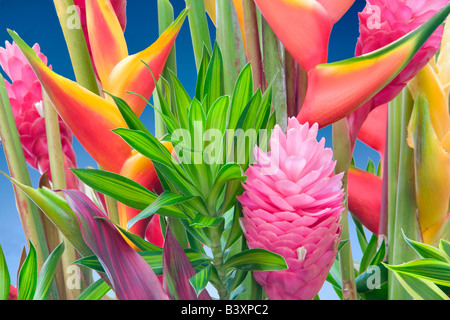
(31, 285)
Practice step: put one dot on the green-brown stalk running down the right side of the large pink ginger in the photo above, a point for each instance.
(342, 151)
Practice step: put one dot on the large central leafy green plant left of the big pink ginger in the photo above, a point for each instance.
(199, 200)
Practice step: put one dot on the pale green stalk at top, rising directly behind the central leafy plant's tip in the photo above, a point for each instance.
(229, 39)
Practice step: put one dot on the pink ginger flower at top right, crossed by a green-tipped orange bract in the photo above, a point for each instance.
(383, 22)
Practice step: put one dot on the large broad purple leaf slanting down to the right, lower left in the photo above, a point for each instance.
(131, 277)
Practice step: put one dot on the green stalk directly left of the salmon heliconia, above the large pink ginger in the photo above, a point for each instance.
(273, 66)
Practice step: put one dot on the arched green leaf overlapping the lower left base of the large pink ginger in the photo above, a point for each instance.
(256, 260)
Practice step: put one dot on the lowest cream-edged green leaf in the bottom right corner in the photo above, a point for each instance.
(420, 289)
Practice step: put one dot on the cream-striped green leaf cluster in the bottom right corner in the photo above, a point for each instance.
(427, 278)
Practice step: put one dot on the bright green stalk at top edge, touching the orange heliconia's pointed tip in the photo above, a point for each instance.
(198, 25)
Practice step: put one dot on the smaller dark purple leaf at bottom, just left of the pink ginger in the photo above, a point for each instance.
(177, 270)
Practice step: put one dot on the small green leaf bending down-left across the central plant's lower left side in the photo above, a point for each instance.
(167, 198)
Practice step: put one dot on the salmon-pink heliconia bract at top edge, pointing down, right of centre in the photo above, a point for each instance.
(304, 26)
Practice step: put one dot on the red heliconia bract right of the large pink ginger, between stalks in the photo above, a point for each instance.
(364, 197)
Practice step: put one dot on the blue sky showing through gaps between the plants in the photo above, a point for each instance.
(36, 21)
